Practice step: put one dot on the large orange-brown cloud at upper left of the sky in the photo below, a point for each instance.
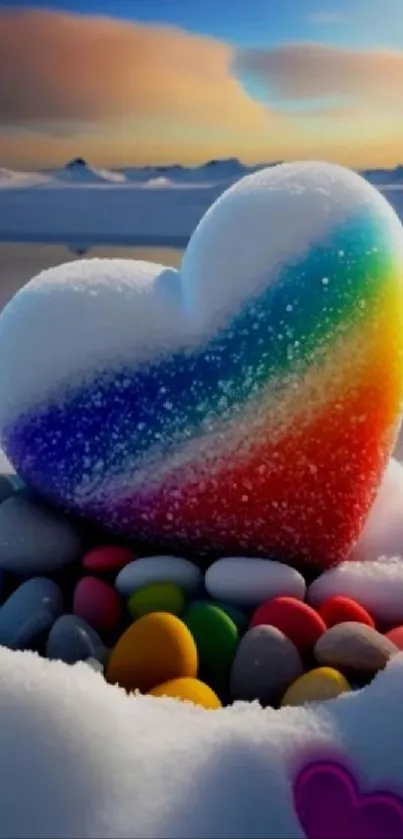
(65, 68)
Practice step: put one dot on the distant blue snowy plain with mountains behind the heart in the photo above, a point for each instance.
(81, 206)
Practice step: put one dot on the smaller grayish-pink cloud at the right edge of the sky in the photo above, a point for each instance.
(314, 71)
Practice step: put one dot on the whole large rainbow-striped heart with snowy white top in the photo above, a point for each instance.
(247, 403)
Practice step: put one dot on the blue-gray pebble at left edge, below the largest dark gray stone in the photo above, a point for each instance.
(29, 611)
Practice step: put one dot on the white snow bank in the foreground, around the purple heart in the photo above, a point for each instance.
(79, 758)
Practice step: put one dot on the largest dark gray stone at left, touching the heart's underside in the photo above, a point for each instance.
(34, 540)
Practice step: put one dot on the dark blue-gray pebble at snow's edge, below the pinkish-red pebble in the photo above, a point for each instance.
(71, 639)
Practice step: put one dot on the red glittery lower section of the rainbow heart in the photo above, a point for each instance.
(309, 501)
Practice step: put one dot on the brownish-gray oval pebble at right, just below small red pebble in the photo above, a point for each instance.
(354, 646)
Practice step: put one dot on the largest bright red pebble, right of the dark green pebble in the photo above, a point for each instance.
(299, 622)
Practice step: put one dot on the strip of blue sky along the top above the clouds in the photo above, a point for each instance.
(358, 23)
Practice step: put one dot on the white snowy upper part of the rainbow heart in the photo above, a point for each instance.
(89, 316)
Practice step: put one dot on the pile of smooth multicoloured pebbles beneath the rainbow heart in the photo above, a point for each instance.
(233, 629)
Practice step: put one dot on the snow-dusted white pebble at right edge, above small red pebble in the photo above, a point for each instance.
(377, 585)
